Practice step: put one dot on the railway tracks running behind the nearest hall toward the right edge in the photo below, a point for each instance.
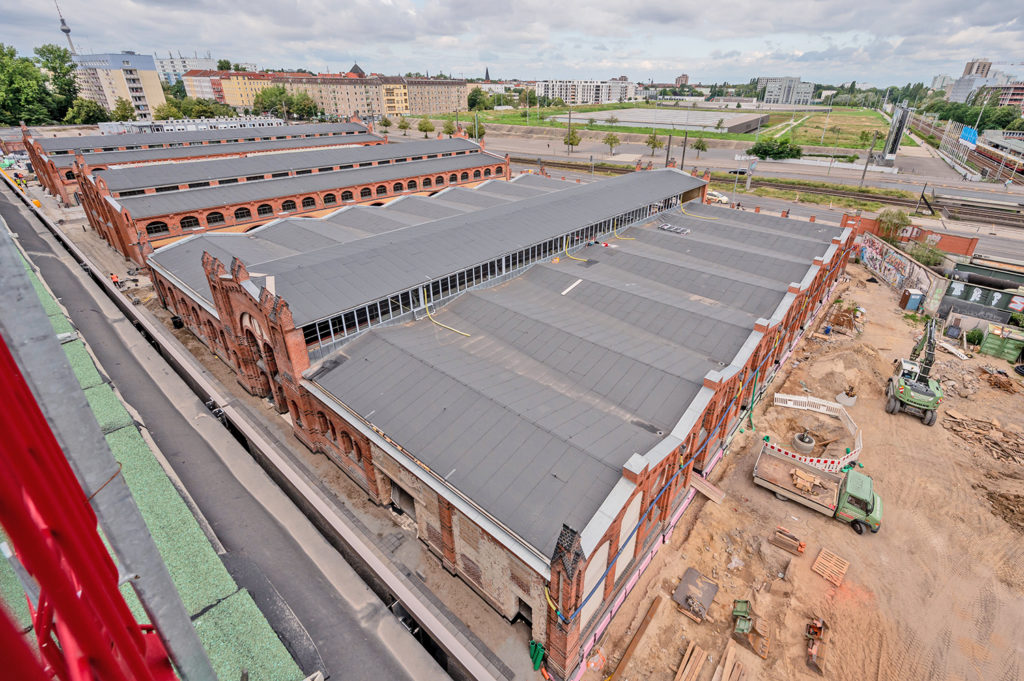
(957, 211)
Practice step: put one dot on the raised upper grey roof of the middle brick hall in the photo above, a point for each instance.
(138, 178)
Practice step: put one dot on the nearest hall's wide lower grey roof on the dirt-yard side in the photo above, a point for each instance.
(534, 415)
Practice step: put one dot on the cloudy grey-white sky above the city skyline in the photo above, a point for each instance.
(828, 41)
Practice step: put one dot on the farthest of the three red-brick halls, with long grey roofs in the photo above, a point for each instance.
(54, 159)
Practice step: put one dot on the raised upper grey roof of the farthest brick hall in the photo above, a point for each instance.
(143, 139)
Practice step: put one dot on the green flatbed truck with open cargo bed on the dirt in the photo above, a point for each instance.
(849, 498)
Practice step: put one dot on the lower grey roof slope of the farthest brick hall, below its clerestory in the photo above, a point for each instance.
(200, 151)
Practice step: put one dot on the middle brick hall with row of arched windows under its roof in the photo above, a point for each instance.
(143, 208)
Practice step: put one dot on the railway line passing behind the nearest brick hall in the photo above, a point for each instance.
(1001, 211)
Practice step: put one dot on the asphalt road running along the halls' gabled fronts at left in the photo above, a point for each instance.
(326, 615)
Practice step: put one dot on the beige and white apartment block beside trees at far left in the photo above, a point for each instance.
(107, 78)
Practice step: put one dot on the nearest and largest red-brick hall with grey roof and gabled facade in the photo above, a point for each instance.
(533, 387)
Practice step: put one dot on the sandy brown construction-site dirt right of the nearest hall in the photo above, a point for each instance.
(938, 593)
